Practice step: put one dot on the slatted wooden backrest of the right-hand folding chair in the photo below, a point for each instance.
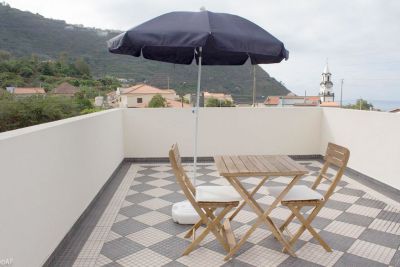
(337, 156)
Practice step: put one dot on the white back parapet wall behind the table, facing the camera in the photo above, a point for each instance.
(151, 132)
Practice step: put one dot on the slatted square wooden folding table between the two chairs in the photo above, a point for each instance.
(234, 167)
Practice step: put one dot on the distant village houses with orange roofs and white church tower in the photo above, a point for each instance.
(139, 96)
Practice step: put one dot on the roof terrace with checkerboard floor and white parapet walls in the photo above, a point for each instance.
(97, 190)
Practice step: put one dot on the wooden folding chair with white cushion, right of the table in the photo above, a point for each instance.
(301, 196)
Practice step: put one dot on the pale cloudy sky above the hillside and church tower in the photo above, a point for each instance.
(360, 38)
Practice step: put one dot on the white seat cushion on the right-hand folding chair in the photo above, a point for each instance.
(298, 192)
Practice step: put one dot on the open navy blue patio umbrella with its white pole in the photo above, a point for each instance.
(207, 37)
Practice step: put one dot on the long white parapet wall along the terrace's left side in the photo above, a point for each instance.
(49, 174)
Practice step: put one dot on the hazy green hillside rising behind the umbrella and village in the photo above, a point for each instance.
(25, 33)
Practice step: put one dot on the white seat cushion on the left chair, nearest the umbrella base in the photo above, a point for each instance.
(217, 194)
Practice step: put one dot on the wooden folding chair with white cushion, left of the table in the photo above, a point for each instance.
(205, 200)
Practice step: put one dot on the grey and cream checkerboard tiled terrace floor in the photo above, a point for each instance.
(136, 228)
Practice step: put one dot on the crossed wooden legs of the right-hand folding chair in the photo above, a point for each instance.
(306, 225)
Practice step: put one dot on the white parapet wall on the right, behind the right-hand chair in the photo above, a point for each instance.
(373, 139)
